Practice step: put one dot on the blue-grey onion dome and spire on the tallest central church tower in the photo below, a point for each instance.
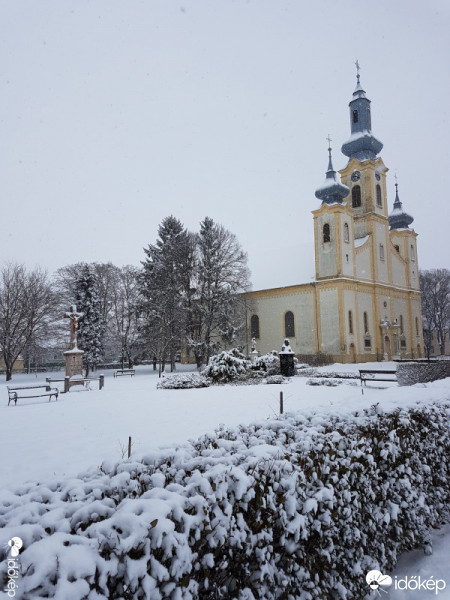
(362, 145)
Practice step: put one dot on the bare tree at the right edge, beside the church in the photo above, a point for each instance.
(435, 286)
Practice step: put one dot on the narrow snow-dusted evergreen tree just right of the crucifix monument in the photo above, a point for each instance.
(91, 325)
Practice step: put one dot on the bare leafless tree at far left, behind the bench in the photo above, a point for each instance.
(27, 308)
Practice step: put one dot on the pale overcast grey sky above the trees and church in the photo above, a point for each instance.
(114, 115)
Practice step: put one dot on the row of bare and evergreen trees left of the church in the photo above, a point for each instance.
(186, 297)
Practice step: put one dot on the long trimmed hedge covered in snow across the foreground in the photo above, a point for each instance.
(297, 508)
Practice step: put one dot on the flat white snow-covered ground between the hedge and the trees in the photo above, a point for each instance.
(42, 440)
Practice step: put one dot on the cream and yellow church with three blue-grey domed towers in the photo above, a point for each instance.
(365, 303)
